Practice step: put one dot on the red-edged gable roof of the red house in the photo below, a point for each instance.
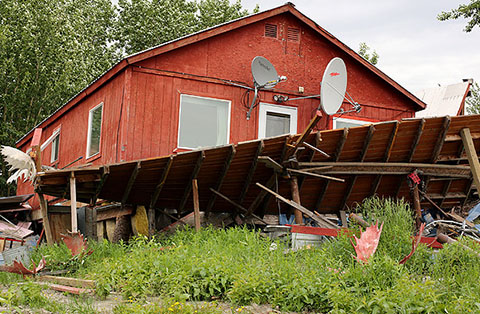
(208, 33)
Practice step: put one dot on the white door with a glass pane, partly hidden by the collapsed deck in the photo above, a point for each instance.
(276, 120)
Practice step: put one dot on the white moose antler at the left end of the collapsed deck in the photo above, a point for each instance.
(20, 161)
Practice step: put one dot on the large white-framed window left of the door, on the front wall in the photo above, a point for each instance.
(203, 122)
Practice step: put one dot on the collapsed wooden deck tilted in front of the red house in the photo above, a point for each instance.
(371, 159)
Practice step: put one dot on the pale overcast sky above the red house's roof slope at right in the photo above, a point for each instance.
(415, 49)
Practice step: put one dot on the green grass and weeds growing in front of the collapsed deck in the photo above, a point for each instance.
(237, 266)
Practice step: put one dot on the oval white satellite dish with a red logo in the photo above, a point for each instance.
(334, 86)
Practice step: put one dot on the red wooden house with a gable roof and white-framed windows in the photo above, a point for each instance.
(188, 93)
